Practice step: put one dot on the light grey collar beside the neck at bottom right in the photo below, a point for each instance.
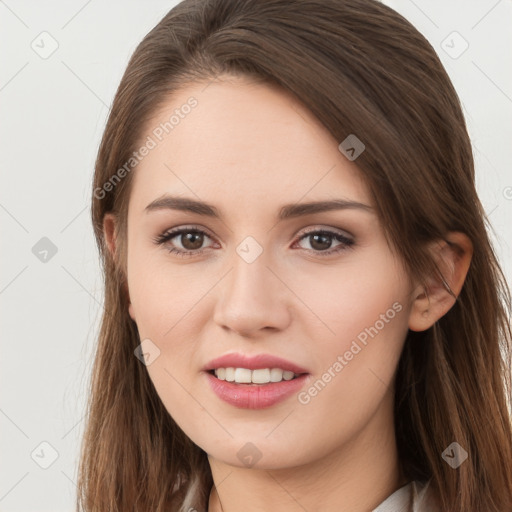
(412, 497)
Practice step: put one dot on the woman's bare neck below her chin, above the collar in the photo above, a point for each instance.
(355, 477)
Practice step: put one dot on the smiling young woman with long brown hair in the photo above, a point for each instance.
(302, 305)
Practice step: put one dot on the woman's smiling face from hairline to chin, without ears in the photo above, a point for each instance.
(317, 288)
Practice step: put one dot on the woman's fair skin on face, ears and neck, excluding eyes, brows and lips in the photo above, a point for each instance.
(249, 148)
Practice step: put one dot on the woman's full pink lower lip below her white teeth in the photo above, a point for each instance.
(255, 396)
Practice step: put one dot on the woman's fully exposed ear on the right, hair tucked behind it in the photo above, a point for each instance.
(453, 256)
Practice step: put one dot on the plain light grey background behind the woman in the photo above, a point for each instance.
(53, 114)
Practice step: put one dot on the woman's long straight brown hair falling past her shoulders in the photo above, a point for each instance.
(362, 69)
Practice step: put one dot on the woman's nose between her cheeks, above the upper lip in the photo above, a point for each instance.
(253, 297)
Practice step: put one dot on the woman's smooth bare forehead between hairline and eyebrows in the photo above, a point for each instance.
(247, 144)
